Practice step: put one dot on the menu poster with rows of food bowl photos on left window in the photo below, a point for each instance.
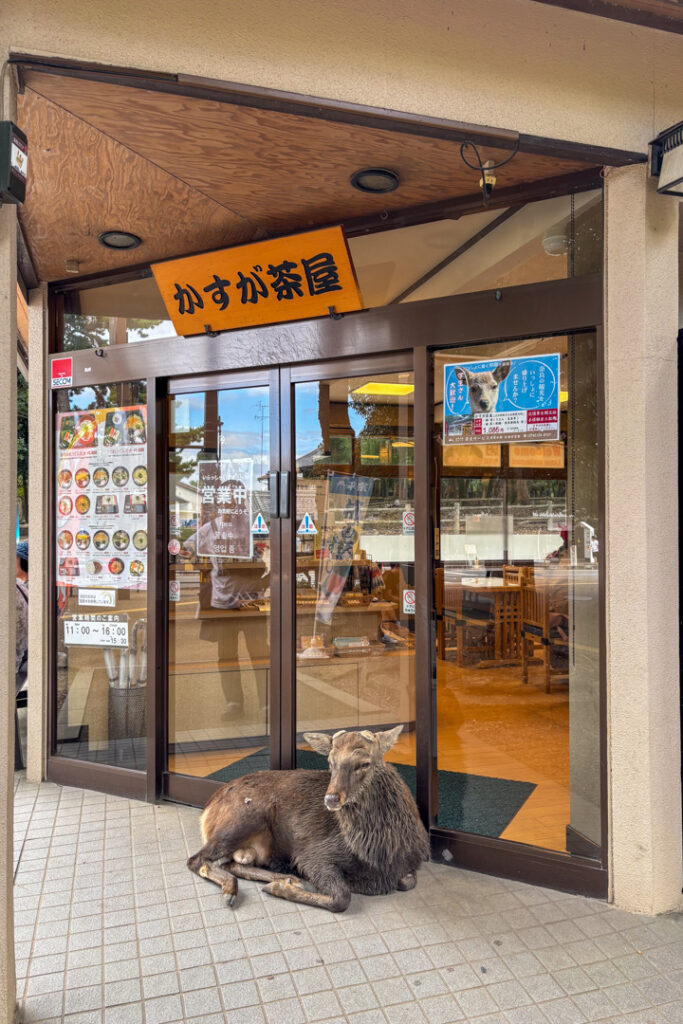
(102, 498)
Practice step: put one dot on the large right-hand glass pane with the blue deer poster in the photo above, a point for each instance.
(517, 573)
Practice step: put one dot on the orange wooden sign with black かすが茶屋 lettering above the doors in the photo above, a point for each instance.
(294, 278)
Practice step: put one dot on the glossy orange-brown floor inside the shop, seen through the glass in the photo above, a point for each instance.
(489, 723)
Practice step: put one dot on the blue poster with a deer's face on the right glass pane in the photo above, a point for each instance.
(515, 400)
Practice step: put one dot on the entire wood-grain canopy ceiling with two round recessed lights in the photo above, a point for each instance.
(190, 174)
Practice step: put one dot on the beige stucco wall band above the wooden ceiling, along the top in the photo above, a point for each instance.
(511, 64)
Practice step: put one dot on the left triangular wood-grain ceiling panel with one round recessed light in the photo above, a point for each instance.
(83, 183)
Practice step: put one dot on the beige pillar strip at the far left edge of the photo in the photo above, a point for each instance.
(8, 598)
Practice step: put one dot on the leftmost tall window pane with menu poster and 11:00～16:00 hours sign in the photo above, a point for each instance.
(101, 488)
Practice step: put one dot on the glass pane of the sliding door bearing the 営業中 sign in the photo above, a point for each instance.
(220, 543)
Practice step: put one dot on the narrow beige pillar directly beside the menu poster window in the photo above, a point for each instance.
(40, 606)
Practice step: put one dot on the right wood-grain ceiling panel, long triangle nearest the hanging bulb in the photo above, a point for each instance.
(282, 172)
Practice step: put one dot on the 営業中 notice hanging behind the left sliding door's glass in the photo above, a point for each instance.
(226, 508)
